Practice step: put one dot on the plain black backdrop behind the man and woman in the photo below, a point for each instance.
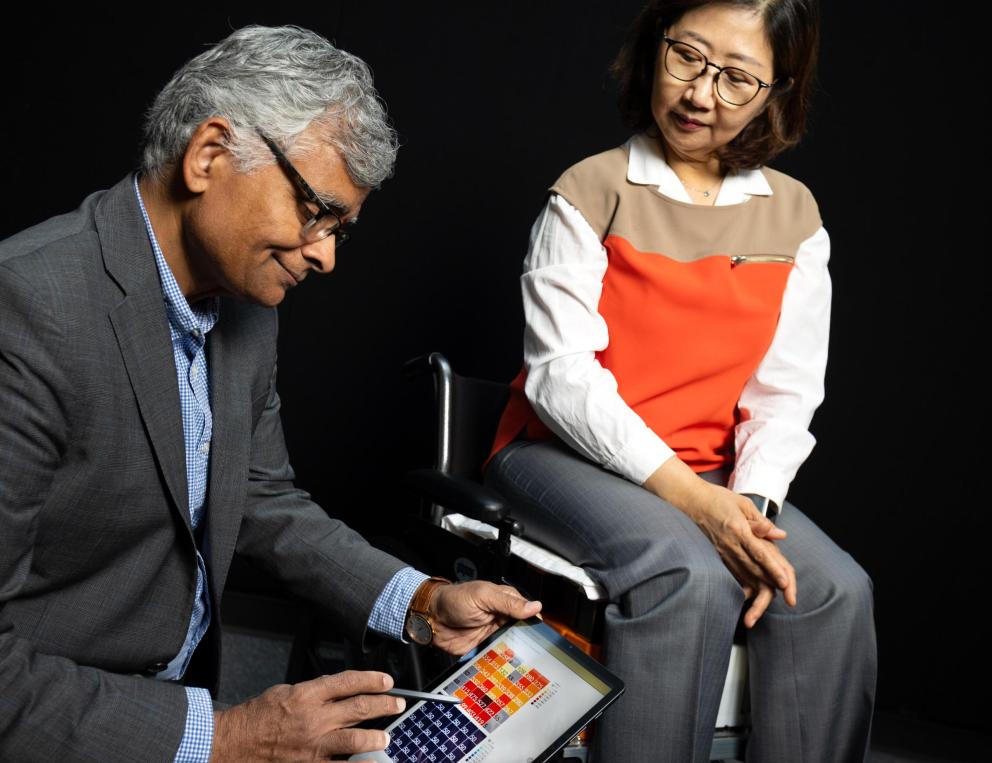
(492, 103)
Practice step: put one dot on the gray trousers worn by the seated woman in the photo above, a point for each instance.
(673, 610)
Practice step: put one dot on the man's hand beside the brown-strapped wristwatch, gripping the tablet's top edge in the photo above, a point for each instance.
(466, 613)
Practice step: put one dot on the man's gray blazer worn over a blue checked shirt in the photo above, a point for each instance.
(97, 558)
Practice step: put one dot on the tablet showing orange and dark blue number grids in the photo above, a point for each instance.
(525, 693)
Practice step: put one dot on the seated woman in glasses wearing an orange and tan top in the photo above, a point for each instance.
(677, 304)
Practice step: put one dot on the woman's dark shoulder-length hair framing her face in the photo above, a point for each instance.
(793, 28)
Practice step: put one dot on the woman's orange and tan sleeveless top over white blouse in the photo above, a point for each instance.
(691, 296)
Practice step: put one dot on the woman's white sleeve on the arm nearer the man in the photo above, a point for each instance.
(566, 385)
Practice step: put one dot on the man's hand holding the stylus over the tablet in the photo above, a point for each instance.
(307, 721)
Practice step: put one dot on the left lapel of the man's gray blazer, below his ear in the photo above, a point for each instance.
(142, 329)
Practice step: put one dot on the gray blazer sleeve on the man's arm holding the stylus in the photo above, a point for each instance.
(50, 707)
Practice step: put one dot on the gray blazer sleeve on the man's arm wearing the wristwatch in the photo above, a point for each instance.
(318, 557)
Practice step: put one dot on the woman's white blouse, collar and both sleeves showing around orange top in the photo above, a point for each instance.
(577, 398)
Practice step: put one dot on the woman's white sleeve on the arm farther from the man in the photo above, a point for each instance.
(772, 439)
